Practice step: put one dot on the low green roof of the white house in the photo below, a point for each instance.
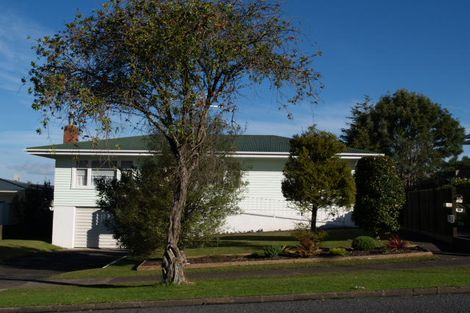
(243, 143)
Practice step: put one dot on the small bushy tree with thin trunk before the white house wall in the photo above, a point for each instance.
(315, 176)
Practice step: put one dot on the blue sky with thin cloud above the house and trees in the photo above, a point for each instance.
(369, 48)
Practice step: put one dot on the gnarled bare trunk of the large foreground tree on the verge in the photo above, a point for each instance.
(173, 259)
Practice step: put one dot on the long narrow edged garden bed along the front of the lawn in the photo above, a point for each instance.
(323, 256)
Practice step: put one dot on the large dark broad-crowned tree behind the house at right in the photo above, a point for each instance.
(416, 132)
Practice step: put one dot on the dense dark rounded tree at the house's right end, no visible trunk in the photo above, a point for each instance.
(380, 195)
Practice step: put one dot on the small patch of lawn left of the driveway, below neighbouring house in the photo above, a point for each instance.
(17, 248)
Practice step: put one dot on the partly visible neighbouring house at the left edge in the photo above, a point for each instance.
(8, 190)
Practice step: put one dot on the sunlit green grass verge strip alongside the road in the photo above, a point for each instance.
(318, 283)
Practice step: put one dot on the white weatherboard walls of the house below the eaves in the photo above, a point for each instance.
(262, 206)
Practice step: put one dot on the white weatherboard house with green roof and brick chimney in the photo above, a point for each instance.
(79, 223)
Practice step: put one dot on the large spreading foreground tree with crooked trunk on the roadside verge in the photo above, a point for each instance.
(168, 63)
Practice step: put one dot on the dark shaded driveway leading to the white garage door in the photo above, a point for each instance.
(33, 269)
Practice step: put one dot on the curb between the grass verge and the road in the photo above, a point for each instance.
(249, 299)
